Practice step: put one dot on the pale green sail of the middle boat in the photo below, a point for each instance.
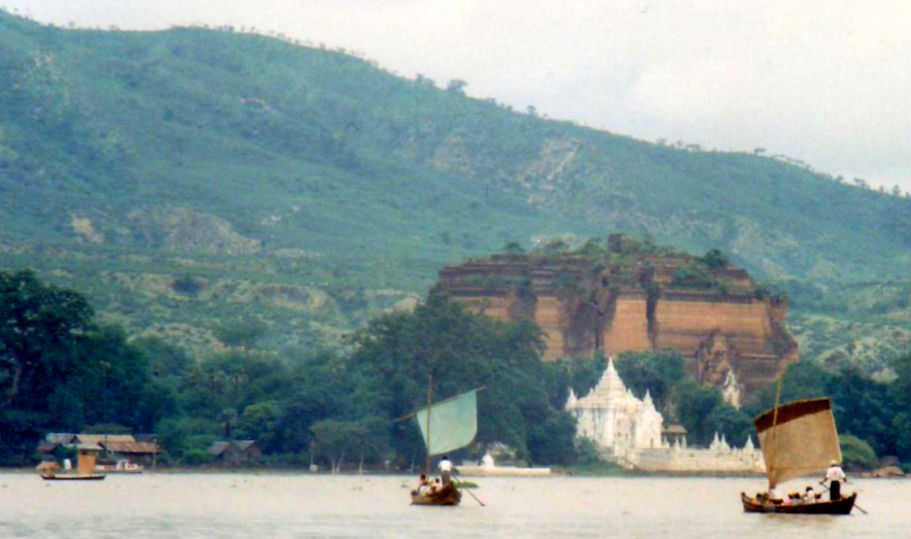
(453, 423)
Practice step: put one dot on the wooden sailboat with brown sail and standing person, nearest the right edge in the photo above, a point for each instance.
(797, 439)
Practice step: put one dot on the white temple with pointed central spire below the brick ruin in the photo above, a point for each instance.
(612, 417)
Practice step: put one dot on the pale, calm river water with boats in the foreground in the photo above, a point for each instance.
(166, 505)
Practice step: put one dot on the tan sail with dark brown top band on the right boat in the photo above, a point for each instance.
(798, 439)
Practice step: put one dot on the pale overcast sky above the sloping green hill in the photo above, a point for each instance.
(823, 81)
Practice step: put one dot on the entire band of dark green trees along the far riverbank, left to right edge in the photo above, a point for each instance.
(60, 370)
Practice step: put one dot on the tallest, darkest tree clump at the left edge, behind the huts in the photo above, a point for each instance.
(59, 369)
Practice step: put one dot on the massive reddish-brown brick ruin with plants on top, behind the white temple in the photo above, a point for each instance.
(629, 299)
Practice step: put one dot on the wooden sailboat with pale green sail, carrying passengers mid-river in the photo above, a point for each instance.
(446, 426)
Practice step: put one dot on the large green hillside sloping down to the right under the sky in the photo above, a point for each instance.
(189, 177)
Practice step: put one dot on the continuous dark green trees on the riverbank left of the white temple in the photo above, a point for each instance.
(62, 371)
